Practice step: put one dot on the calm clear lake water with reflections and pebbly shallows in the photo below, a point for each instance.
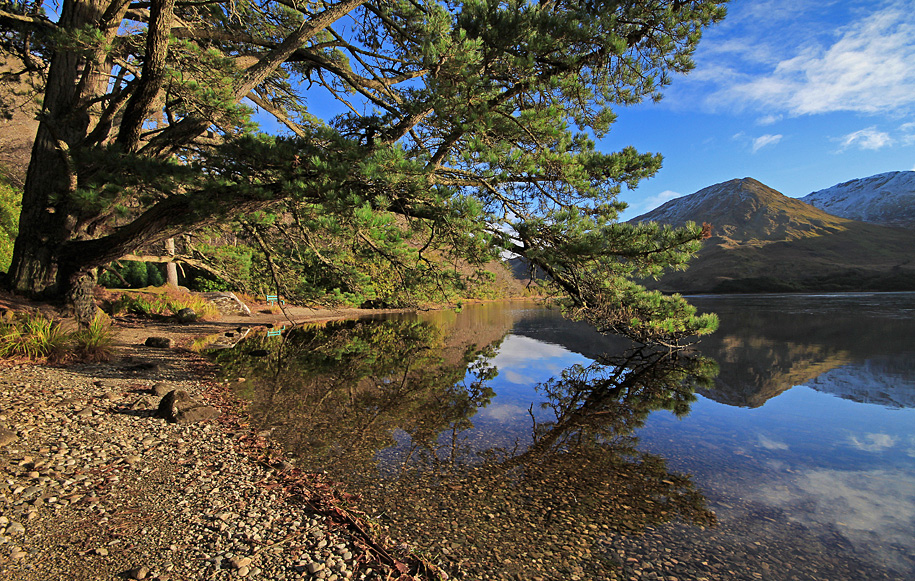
(508, 443)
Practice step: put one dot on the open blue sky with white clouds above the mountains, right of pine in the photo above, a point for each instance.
(798, 94)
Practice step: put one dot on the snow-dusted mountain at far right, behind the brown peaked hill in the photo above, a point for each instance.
(887, 198)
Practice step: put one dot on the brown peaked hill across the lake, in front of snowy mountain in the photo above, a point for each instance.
(764, 241)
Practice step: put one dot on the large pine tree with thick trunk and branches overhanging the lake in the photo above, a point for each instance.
(473, 121)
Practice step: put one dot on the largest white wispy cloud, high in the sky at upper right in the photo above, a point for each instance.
(866, 66)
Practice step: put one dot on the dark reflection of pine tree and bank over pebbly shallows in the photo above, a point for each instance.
(380, 406)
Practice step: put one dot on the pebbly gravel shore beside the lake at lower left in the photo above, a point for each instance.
(95, 485)
